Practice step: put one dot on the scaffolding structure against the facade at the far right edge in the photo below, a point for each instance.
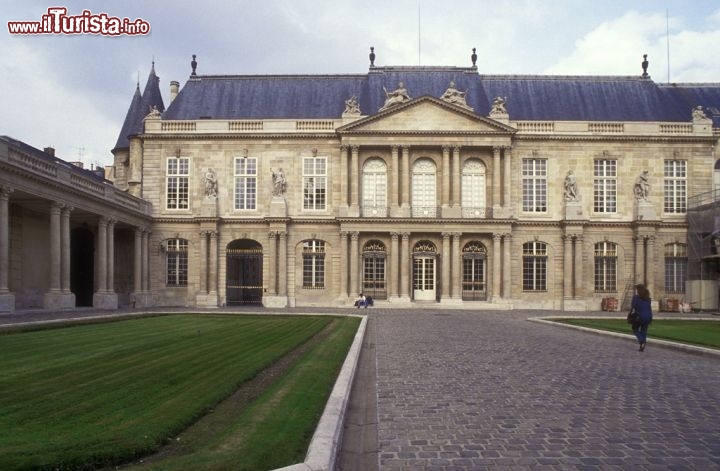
(703, 270)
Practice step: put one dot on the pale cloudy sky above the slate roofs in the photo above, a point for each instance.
(72, 92)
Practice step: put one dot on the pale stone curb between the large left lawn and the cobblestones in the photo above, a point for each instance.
(325, 443)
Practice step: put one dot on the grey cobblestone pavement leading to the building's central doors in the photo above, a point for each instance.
(463, 390)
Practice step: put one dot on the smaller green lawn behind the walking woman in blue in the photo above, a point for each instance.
(705, 333)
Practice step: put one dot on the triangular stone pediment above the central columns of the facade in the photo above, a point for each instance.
(426, 114)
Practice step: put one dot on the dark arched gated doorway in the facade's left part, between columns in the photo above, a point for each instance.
(243, 284)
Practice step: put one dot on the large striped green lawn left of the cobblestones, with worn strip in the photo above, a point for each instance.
(100, 394)
